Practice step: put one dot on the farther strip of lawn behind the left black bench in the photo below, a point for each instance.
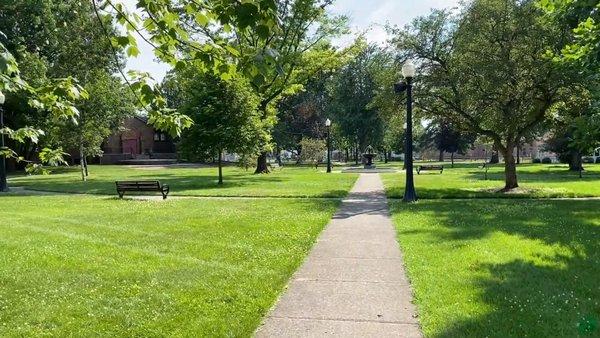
(288, 182)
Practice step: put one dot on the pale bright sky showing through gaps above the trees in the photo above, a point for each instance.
(366, 15)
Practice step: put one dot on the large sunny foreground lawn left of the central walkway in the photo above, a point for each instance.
(99, 266)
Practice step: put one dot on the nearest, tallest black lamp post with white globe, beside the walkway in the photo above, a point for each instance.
(408, 71)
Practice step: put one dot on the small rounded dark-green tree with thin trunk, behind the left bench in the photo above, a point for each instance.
(225, 115)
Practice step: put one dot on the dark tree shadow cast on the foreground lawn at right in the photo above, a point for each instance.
(551, 293)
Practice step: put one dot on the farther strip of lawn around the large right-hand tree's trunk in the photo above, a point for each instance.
(467, 181)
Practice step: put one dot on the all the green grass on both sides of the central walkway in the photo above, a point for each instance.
(99, 266)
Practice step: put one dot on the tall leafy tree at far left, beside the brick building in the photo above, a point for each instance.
(66, 29)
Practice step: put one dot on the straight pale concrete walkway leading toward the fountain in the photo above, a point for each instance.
(353, 283)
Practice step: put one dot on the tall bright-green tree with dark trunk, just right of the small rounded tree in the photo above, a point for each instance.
(299, 49)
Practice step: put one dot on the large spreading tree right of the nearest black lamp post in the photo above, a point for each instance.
(488, 70)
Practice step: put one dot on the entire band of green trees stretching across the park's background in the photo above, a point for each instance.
(262, 76)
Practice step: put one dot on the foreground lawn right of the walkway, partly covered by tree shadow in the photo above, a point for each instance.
(520, 268)
